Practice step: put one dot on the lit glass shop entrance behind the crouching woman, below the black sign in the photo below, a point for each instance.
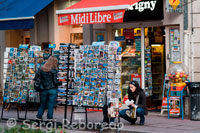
(154, 61)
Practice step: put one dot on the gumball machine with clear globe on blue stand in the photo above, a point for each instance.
(178, 89)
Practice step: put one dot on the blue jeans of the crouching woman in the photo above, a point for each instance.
(139, 112)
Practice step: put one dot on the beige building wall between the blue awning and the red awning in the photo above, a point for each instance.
(46, 27)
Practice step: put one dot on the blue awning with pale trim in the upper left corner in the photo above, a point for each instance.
(19, 14)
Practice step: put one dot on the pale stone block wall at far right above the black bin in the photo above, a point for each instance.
(194, 39)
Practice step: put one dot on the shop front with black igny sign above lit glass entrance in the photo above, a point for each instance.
(144, 63)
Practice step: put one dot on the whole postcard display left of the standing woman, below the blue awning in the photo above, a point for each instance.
(19, 70)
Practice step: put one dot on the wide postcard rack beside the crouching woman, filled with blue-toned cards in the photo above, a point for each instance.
(97, 75)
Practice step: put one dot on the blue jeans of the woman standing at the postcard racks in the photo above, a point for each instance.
(47, 97)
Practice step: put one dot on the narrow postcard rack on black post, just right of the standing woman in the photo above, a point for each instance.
(65, 56)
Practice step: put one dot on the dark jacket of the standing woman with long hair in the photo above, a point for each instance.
(49, 79)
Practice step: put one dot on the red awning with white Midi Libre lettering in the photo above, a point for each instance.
(95, 11)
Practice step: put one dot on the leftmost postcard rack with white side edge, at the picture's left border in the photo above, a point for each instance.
(16, 80)
